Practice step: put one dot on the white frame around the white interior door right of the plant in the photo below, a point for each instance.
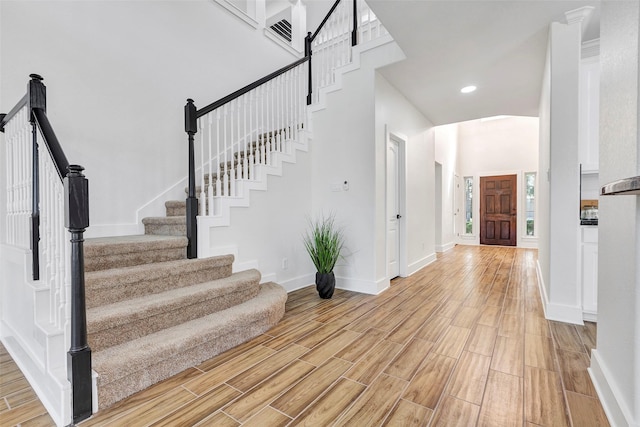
(401, 140)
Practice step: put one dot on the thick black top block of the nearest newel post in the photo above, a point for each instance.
(76, 199)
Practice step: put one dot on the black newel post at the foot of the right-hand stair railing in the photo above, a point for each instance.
(191, 127)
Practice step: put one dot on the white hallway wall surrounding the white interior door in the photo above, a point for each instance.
(395, 114)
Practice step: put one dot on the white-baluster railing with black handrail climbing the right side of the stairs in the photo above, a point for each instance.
(249, 128)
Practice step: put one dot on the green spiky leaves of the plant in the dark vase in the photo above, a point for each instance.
(324, 242)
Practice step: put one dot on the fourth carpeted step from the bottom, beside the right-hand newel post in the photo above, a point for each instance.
(103, 253)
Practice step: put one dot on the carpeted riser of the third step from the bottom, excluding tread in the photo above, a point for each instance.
(108, 290)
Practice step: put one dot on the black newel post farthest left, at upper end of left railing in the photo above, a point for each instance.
(37, 99)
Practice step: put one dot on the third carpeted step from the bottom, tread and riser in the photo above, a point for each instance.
(110, 286)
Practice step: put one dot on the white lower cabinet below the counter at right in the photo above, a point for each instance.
(589, 272)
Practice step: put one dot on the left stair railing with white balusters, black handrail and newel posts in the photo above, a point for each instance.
(44, 195)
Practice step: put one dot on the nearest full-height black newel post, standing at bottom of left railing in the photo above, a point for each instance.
(76, 220)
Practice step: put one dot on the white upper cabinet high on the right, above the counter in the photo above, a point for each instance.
(588, 114)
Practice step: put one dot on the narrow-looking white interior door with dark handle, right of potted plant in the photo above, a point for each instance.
(393, 209)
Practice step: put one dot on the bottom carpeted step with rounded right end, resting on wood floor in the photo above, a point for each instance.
(132, 366)
